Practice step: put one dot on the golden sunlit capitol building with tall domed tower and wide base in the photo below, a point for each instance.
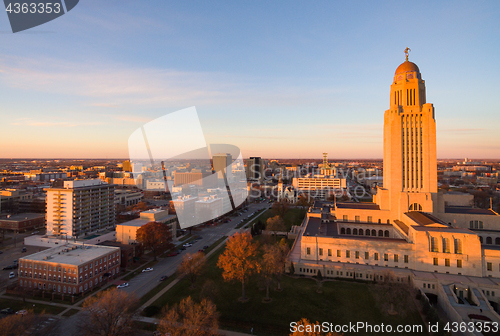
(410, 229)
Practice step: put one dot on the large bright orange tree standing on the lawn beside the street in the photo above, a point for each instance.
(239, 259)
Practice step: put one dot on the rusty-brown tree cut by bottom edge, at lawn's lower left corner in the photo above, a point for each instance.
(190, 319)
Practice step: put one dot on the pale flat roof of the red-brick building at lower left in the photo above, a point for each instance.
(71, 254)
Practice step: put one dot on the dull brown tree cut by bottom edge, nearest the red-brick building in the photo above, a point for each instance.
(108, 313)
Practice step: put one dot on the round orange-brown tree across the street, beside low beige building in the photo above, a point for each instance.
(155, 236)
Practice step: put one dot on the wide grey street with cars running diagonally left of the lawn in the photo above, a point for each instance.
(142, 283)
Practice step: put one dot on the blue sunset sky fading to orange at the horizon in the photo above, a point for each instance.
(278, 79)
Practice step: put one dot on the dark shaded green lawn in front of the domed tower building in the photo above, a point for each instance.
(340, 303)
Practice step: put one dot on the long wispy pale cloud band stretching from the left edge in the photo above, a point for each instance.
(127, 86)
